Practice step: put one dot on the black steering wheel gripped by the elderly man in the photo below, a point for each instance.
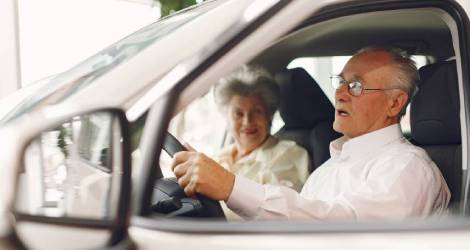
(169, 198)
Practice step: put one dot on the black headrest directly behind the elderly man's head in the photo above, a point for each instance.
(435, 108)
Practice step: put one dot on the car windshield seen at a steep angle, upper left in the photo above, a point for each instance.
(63, 85)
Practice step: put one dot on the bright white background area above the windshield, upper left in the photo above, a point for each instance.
(57, 34)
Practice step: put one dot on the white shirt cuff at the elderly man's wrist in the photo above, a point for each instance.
(246, 197)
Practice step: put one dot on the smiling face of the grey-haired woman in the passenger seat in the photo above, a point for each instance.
(248, 122)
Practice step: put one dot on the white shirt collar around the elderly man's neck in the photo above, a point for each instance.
(364, 144)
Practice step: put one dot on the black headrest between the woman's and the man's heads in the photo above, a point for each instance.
(303, 103)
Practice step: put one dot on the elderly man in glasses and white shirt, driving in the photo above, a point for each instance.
(373, 172)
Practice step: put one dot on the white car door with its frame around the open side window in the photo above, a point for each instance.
(280, 21)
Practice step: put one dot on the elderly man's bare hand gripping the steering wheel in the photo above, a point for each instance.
(199, 174)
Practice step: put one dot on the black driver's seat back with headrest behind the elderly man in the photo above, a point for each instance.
(435, 122)
